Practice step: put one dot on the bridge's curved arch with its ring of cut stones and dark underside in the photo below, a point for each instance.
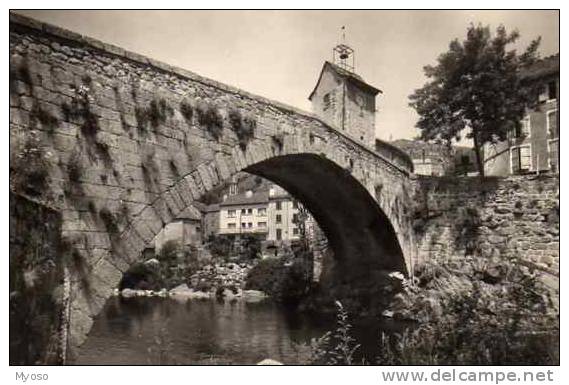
(363, 238)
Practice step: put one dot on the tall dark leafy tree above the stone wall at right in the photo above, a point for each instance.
(476, 88)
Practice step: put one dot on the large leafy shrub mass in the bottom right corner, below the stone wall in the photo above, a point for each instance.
(486, 313)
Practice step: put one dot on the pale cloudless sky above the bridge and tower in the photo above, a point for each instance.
(279, 54)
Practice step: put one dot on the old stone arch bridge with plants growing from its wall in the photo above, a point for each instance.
(121, 144)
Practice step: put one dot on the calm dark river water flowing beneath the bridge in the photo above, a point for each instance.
(150, 330)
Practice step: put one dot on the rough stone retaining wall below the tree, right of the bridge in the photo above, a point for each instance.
(515, 217)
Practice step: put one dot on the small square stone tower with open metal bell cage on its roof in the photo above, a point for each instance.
(343, 99)
